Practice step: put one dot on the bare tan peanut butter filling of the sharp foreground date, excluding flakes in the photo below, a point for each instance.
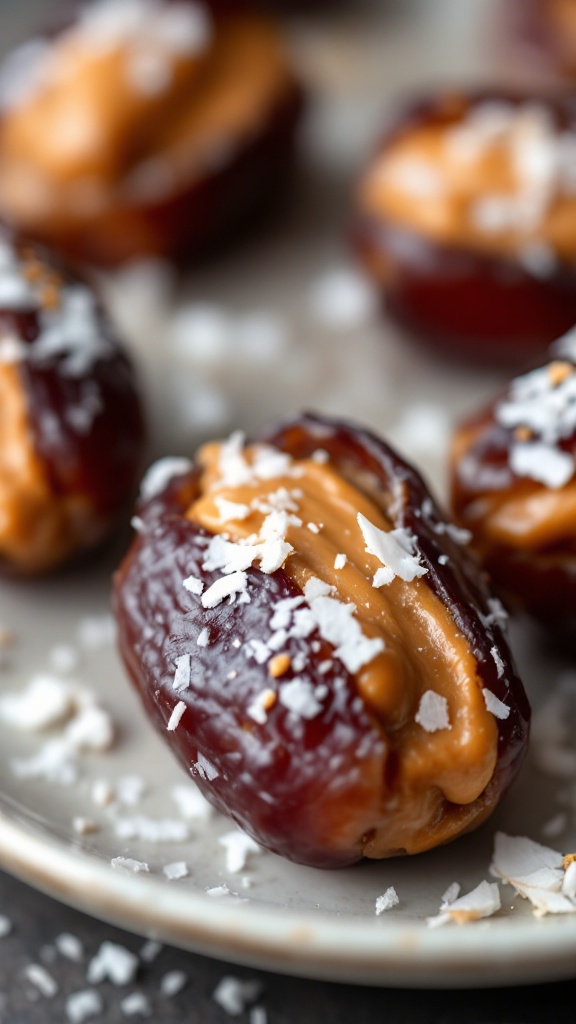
(422, 650)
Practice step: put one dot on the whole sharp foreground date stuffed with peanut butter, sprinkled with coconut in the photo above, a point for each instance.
(315, 644)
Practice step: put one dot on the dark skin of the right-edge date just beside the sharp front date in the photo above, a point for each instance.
(541, 582)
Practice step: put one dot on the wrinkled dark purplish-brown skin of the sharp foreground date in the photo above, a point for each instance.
(310, 793)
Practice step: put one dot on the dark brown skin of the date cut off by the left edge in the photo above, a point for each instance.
(102, 462)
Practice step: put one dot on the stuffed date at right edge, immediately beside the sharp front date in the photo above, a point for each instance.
(514, 486)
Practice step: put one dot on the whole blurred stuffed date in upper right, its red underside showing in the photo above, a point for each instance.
(448, 223)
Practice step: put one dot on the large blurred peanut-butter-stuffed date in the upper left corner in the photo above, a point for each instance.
(147, 129)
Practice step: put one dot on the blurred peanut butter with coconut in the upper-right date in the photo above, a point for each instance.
(496, 180)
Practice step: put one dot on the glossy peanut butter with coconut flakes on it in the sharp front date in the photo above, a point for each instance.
(406, 646)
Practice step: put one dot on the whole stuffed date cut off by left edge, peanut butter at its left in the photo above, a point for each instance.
(72, 433)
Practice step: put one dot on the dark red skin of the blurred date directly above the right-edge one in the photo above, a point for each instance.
(482, 310)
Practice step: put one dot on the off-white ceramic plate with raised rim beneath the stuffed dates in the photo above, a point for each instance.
(283, 917)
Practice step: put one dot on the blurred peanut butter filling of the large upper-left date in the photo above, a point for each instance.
(112, 124)
